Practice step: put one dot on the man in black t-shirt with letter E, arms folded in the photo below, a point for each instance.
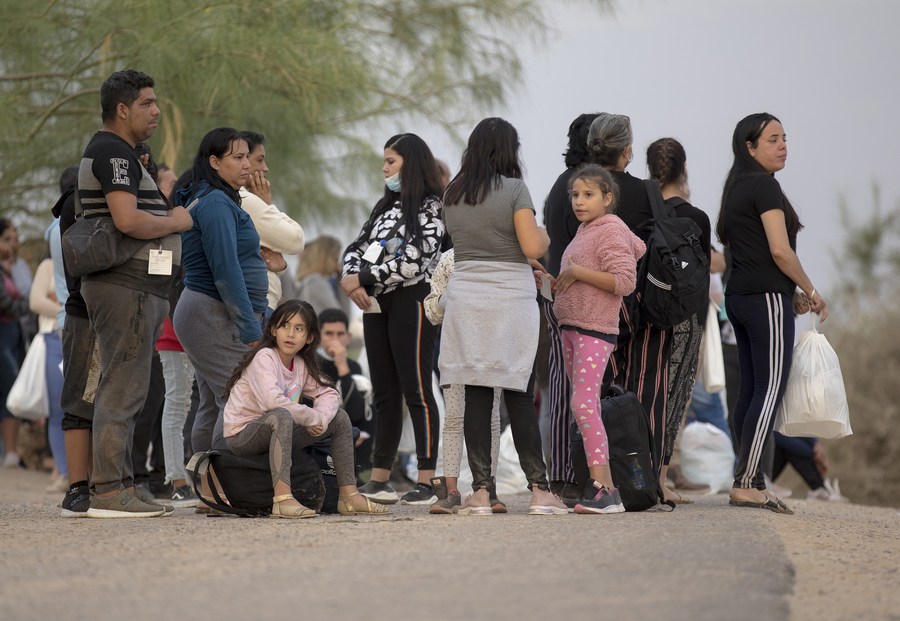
(127, 303)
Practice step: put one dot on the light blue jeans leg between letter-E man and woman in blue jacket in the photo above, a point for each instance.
(179, 377)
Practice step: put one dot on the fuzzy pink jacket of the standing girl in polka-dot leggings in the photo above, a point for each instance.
(604, 245)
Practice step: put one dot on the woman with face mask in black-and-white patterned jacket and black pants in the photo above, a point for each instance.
(387, 274)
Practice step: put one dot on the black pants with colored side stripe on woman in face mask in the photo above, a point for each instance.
(400, 350)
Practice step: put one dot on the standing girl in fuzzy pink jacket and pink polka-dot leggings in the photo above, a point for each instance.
(598, 269)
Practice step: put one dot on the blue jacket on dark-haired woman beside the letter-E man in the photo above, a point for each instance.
(221, 259)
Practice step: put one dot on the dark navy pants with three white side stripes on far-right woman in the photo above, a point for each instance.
(764, 329)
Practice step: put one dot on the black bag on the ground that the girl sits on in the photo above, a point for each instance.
(247, 481)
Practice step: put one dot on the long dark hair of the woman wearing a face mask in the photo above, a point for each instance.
(420, 179)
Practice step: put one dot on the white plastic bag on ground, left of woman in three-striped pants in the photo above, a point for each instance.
(707, 457)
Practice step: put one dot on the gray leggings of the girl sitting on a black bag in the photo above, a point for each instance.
(276, 434)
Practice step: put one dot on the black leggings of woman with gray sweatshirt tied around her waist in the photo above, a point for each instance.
(525, 430)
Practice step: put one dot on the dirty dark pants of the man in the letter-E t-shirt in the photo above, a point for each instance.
(126, 324)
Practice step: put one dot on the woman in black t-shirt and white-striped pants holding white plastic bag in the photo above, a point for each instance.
(759, 227)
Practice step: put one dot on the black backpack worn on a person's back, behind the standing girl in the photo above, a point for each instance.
(673, 275)
